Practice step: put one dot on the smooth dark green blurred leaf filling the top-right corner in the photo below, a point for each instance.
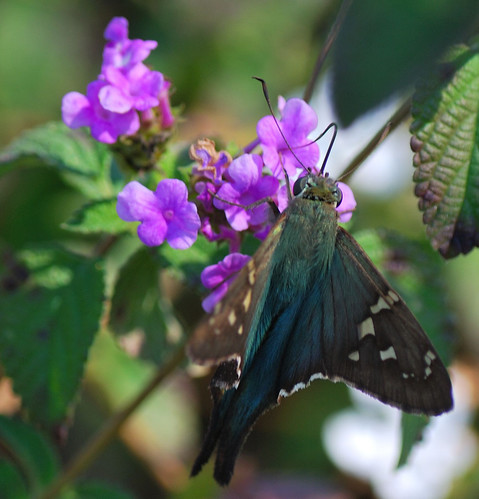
(384, 46)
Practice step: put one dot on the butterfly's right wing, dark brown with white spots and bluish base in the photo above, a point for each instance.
(358, 330)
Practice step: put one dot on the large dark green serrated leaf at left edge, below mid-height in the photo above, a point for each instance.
(48, 320)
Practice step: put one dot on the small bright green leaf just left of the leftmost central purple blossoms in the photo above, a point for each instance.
(97, 216)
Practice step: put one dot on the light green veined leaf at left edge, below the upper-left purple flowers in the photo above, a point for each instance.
(83, 162)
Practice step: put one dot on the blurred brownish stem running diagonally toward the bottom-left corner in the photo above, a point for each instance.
(107, 433)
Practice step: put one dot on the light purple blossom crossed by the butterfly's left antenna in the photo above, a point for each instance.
(298, 119)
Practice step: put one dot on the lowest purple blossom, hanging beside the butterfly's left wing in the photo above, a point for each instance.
(219, 276)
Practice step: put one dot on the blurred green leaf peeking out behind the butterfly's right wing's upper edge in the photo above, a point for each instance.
(415, 270)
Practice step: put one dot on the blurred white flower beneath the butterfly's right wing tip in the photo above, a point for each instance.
(366, 442)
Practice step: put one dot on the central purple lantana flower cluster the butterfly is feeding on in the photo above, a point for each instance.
(230, 194)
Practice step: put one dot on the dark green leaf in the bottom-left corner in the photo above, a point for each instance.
(32, 456)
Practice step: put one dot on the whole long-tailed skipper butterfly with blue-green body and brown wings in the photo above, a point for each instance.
(310, 304)
